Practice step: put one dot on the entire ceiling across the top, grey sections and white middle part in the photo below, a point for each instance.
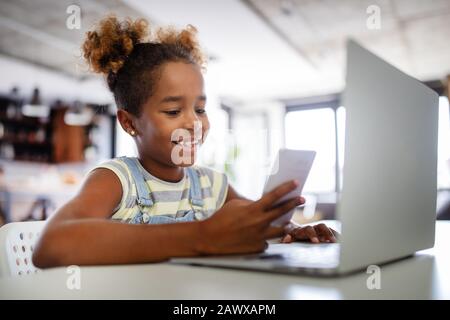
(261, 49)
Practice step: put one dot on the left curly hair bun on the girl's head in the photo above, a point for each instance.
(107, 47)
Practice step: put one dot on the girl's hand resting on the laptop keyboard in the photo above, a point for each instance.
(315, 234)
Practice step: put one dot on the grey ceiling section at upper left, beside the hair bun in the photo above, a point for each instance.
(36, 32)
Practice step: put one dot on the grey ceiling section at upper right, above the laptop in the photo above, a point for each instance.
(413, 35)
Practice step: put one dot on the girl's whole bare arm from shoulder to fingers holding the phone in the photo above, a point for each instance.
(81, 232)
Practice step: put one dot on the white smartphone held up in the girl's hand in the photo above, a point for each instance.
(289, 165)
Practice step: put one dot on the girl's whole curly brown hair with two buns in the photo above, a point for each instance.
(130, 59)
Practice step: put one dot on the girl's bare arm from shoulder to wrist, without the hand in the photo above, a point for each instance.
(81, 231)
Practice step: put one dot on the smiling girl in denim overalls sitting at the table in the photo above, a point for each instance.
(158, 89)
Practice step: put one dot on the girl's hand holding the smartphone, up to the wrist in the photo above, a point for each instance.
(243, 226)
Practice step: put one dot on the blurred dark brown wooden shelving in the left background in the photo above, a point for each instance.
(47, 139)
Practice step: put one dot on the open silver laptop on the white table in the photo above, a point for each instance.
(387, 206)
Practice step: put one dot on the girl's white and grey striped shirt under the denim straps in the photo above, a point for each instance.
(170, 198)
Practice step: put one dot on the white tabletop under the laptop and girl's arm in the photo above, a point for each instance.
(424, 276)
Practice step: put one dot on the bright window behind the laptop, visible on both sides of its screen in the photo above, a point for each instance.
(309, 127)
